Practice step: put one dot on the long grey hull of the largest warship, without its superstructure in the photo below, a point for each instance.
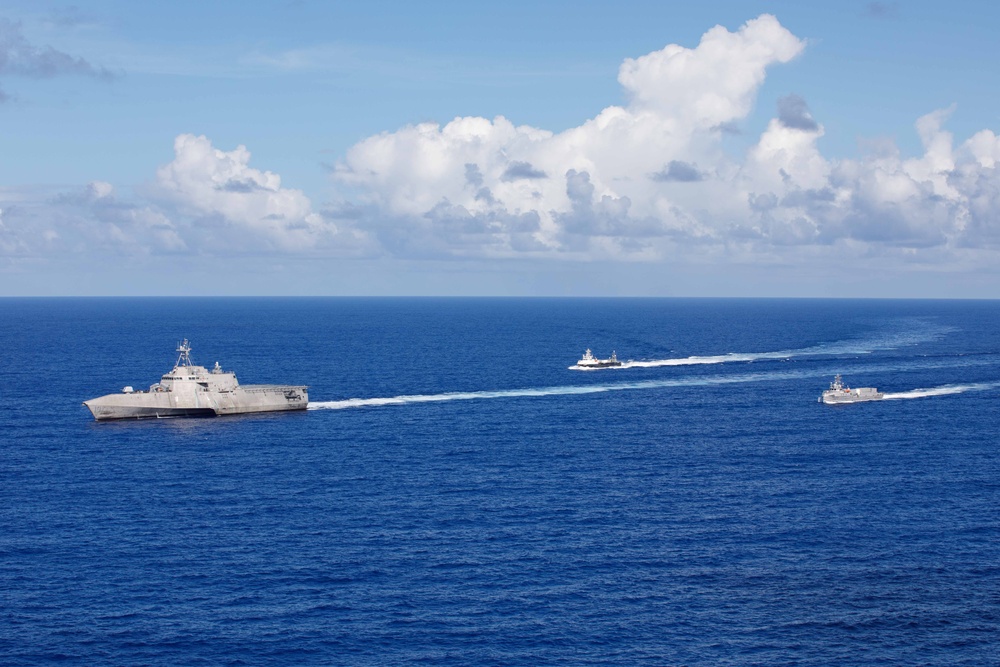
(159, 405)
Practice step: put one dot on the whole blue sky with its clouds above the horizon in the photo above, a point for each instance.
(636, 148)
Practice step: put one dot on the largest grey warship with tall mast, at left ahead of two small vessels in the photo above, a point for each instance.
(194, 391)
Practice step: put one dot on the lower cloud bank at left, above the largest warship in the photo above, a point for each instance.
(204, 202)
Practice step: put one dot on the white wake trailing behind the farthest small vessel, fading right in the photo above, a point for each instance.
(863, 346)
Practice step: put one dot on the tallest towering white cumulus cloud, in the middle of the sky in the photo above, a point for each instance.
(609, 187)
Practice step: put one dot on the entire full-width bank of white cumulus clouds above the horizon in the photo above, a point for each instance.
(647, 181)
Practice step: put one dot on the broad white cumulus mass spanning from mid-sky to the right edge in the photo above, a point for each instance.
(642, 181)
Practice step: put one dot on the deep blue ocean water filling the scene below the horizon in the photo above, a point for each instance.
(457, 495)
